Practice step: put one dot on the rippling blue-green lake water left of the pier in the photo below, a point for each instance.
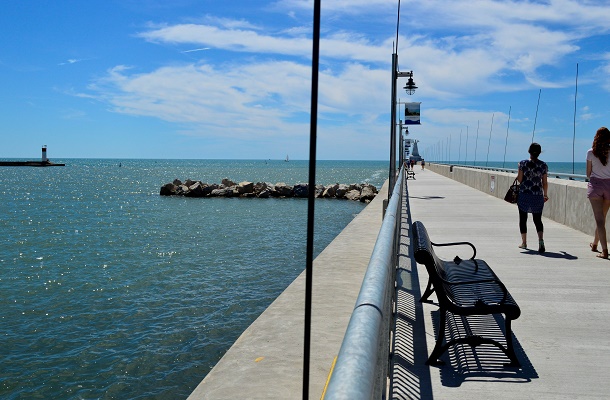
(112, 291)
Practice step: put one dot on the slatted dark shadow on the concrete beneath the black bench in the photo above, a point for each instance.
(484, 362)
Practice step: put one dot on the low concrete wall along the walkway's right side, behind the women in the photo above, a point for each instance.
(568, 203)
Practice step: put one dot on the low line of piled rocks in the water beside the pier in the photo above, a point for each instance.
(357, 192)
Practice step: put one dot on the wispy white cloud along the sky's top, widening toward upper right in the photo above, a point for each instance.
(483, 42)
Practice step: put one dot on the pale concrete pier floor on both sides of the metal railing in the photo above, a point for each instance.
(561, 337)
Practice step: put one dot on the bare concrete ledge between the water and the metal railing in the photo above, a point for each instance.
(266, 362)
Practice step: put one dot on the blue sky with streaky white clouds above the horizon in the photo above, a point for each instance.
(210, 79)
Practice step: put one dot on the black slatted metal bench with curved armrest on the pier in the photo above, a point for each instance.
(464, 288)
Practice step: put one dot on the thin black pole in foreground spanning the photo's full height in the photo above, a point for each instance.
(315, 65)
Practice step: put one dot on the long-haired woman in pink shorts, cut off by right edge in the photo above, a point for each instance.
(598, 188)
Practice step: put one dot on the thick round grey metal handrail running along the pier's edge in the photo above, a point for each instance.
(361, 369)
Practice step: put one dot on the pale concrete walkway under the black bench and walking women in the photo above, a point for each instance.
(562, 337)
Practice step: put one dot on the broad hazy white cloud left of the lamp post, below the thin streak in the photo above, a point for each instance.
(260, 97)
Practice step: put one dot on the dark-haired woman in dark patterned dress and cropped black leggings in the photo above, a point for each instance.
(532, 194)
